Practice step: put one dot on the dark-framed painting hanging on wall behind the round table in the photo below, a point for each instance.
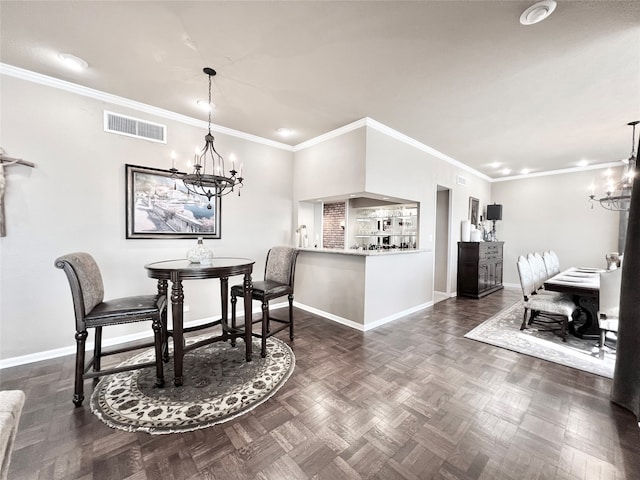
(159, 206)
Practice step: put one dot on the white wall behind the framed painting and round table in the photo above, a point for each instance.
(74, 200)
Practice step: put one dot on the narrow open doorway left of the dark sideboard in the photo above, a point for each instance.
(441, 280)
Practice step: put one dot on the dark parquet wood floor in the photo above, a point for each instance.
(409, 400)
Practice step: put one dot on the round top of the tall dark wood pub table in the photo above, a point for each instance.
(218, 267)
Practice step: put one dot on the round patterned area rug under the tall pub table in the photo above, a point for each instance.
(219, 385)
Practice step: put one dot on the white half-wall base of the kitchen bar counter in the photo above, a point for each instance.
(363, 288)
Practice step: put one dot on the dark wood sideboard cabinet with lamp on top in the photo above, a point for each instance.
(479, 268)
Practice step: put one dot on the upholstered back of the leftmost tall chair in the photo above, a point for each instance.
(85, 280)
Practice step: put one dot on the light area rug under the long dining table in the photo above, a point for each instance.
(503, 330)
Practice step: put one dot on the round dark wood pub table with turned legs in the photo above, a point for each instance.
(220, 267)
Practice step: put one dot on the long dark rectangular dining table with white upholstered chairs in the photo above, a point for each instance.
(583, 284)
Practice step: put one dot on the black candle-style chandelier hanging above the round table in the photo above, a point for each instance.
(208, 178)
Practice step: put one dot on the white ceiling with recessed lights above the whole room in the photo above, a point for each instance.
(463, 77)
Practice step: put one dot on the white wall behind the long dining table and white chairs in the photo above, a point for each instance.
(553, 212)
